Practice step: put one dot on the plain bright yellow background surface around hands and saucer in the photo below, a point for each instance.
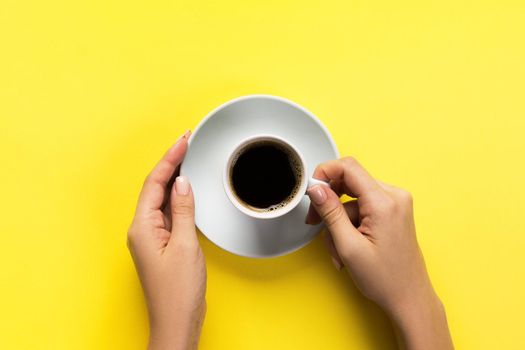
(429, 95)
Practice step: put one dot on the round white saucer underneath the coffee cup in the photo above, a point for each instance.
(210, 145)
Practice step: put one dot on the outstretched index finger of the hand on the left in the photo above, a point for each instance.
(153, 192)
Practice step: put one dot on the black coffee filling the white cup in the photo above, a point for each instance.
(265, 175)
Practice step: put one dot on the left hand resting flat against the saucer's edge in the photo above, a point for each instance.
(169, 261)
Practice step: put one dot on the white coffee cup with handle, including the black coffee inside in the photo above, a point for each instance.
(265, 176)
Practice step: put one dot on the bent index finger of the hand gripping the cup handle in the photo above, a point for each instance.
(356, 180)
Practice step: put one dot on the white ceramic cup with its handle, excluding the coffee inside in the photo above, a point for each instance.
(306, 181)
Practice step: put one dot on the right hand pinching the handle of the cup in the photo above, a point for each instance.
(375, 238)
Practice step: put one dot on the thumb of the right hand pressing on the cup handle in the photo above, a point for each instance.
(326, 202)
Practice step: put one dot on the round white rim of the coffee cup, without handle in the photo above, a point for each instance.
(264, 214)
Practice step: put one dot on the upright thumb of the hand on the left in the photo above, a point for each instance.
(182, 209)
